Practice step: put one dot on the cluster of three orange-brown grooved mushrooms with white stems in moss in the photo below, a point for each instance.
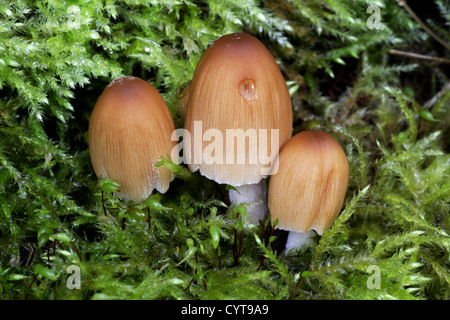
(238, 113)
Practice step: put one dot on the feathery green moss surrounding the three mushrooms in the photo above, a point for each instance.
(56, 58)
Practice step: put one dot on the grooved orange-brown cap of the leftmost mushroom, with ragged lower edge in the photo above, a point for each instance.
(129, 131)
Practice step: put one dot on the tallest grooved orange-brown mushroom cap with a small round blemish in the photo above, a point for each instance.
(237, 85)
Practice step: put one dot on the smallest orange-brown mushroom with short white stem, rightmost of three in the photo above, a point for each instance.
(307, 192)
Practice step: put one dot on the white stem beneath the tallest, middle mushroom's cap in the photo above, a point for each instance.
(255, 196)
